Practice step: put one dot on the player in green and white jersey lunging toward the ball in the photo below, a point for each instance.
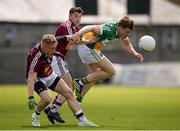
(101, 67)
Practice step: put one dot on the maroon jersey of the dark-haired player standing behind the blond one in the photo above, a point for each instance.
(65, 28)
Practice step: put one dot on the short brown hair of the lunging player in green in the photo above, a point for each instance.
(126, 23)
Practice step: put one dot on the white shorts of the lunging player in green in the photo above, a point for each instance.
(89, 55)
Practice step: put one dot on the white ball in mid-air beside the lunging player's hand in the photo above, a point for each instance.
(147, 43)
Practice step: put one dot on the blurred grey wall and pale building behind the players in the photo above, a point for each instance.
(23, 22)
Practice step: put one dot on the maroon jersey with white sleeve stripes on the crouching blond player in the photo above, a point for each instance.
(38, 62)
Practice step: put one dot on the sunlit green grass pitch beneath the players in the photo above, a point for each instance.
(111, 107)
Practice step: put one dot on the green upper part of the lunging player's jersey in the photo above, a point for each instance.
(108, 31)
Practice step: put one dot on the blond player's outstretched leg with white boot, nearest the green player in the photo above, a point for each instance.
(62, 88)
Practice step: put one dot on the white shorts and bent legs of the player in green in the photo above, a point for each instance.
(96, 60)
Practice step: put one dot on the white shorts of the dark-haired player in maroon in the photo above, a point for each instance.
(59, 66)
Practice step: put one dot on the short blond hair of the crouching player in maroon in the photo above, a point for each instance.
(49, 39)
